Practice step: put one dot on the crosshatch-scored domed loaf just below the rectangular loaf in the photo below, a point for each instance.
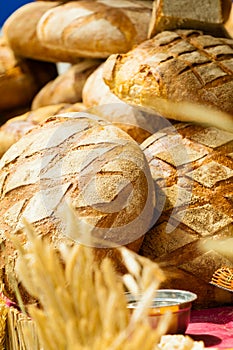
(179, 66)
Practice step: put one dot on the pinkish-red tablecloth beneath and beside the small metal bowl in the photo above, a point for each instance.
(213, 326)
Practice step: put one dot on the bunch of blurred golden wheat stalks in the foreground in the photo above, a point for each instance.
(82, 303)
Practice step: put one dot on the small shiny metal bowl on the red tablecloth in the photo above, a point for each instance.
(177, 302)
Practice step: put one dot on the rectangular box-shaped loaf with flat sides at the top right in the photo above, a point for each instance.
(193, 14)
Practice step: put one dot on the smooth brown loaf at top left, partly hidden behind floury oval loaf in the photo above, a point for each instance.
(20, 29)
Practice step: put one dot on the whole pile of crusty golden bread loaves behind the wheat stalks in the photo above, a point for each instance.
(137, 69)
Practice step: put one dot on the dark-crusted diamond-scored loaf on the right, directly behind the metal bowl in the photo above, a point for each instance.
(192, 167)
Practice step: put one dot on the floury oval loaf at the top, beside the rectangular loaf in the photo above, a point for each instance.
(95, 28)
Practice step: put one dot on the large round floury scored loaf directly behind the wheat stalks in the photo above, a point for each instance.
(80, 159)
